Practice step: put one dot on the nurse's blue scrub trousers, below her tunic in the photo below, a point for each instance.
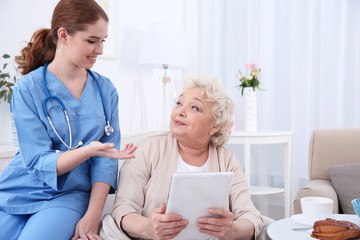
(56, 223)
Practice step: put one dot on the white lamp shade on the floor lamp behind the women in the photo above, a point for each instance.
(164, 44)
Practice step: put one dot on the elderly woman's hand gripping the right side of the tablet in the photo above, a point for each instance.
(218, 227)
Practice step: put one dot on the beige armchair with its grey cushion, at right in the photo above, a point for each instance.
(333, 168)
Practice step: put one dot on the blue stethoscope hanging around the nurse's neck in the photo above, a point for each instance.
(108, 129)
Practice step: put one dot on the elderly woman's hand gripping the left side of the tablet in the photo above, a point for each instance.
(165, 226)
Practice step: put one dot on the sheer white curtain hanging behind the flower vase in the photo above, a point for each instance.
(309, 52)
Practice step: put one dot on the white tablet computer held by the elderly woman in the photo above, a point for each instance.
(192, 194)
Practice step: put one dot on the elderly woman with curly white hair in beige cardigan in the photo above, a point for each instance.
(200, 126)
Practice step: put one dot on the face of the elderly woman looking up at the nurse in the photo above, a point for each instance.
(192, 116)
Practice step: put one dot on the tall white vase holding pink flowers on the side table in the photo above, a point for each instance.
(250, 109)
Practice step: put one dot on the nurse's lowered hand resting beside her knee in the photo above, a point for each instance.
(87, 229)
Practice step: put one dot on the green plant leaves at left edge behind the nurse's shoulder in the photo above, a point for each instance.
(7, 79)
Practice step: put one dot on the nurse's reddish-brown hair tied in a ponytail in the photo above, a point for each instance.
(73, 15)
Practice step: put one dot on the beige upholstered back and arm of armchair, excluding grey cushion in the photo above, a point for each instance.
(328, 147)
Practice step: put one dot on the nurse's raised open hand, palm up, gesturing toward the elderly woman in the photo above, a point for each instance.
(108, 150)
